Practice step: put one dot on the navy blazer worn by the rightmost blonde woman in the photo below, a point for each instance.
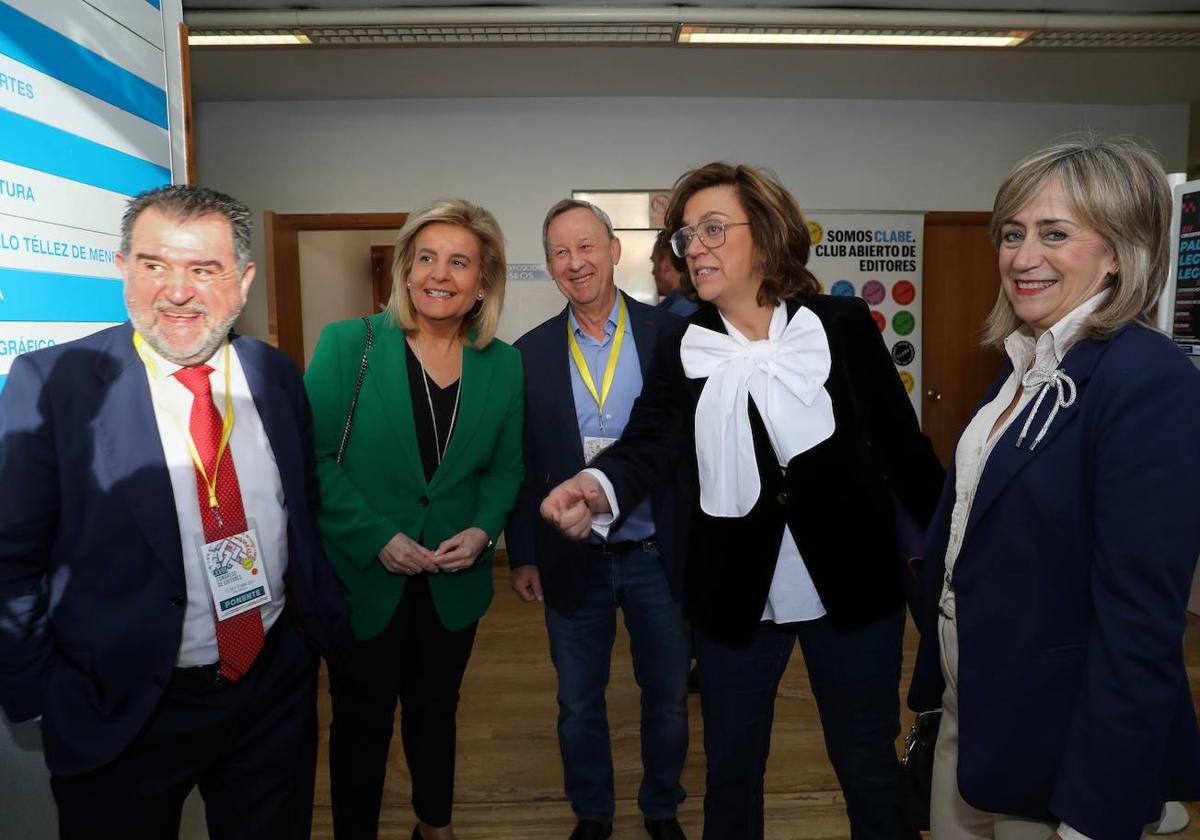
(1071, 595)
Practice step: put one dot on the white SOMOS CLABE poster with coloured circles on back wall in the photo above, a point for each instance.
(877, 257)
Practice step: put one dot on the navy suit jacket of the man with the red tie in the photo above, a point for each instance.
(92, 574)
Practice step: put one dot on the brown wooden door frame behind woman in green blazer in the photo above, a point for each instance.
(283, 238)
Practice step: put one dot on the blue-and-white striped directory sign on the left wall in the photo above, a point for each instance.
(91, 113)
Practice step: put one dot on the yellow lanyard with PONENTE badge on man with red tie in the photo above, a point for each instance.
(232, 563)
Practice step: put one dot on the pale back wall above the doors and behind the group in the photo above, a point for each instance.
(518, 157)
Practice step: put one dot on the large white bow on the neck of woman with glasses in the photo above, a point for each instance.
(785, 375)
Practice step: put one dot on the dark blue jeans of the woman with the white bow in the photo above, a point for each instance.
(856, 681)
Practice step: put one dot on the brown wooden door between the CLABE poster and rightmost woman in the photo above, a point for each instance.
(962, 283)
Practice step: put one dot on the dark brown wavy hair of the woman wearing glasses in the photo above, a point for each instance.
(778, 230)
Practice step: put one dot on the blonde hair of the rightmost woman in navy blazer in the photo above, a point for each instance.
(1119, 190)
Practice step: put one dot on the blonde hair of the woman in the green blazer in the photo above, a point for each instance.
(484, 319)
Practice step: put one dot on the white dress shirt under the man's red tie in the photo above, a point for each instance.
(259, 478)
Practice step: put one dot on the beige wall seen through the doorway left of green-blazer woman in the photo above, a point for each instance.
(335, 278)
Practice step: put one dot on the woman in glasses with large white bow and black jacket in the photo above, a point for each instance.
(785, 410)
